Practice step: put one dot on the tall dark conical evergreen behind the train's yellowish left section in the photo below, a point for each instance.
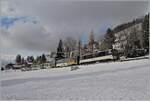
(60, 52)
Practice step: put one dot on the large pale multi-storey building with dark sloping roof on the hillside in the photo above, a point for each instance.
(123, 34)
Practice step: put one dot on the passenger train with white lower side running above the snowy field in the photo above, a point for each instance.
(99, 56)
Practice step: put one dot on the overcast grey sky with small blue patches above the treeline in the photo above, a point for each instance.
(35, 26)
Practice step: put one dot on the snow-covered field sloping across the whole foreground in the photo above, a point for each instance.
(128, 80)
